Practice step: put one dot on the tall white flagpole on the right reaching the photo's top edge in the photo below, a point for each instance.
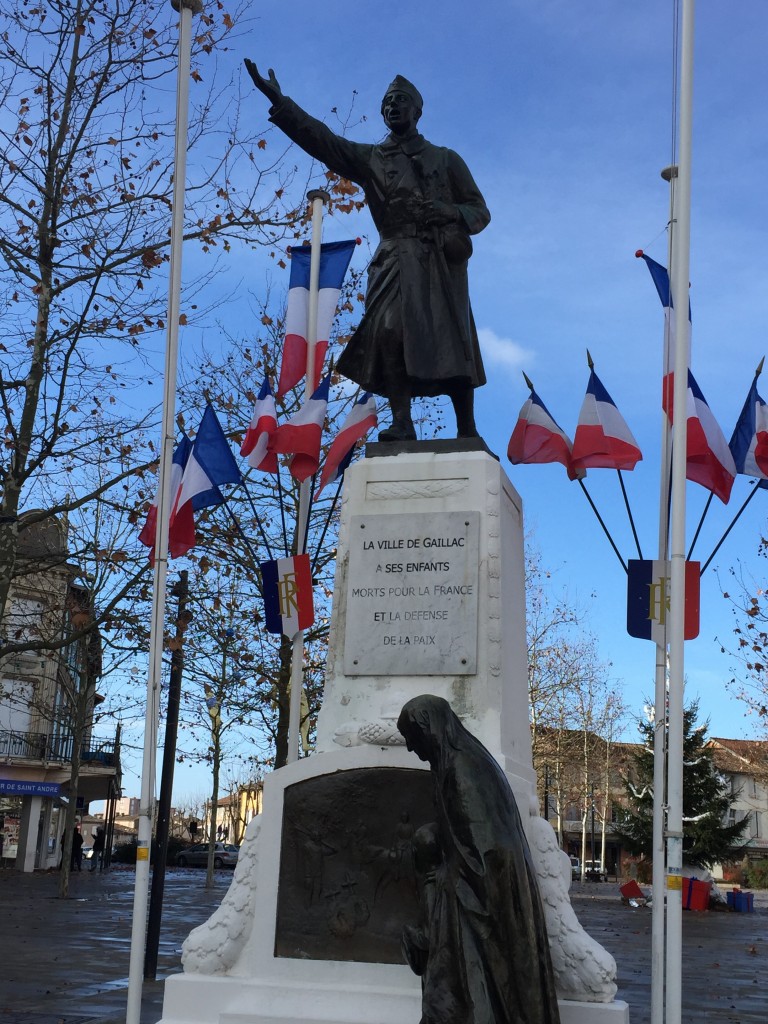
(679, 279)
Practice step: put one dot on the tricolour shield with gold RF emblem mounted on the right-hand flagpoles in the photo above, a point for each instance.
(649, 590)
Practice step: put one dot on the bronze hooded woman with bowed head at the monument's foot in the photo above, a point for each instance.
(487, 958)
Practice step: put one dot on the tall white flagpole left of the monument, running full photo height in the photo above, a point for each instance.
(139, 931)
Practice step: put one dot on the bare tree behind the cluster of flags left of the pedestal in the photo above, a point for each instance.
(262, 522)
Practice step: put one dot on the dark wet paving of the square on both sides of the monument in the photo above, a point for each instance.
(66, 962)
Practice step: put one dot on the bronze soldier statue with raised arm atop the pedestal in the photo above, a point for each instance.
(417, 336)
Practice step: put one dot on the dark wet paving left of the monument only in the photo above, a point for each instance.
(66, 962)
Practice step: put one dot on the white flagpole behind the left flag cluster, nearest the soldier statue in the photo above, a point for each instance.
(318, 198)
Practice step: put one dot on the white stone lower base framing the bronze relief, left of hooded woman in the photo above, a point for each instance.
(265, 989)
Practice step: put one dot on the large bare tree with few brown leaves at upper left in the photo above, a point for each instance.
(86, 186)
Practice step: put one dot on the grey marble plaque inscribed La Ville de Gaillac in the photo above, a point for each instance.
(412, 595)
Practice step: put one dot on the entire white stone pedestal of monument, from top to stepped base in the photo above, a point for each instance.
(430, 599)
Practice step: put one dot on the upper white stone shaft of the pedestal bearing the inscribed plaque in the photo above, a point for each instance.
(459, 523)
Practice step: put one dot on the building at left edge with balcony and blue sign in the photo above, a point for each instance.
(49, 692)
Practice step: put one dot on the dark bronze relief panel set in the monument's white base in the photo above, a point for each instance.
(348, 884)
